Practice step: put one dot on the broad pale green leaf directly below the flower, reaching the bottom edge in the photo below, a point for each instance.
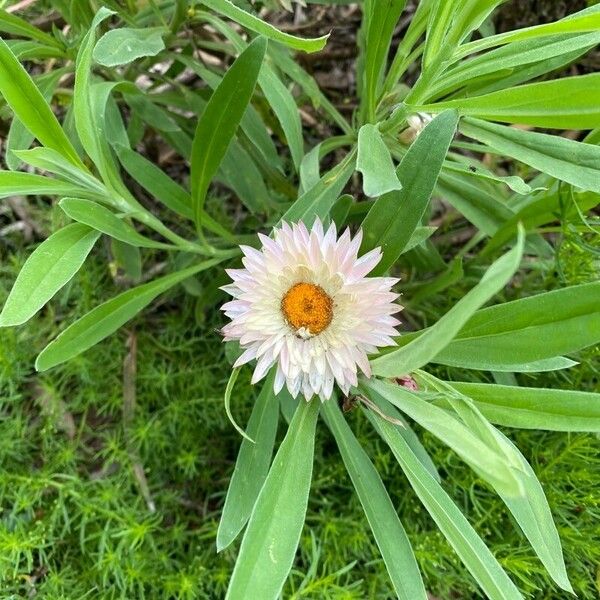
(271, 538)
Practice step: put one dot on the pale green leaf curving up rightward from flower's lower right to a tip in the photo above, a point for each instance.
(428, 345)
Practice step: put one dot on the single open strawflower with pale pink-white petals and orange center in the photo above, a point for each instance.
(303, 303)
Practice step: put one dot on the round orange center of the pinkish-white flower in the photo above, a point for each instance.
(307, 305)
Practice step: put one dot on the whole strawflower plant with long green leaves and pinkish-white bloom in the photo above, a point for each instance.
(315, 300)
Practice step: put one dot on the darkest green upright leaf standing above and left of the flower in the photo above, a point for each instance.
(220, 120)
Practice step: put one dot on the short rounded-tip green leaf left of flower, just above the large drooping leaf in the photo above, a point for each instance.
(101, 219)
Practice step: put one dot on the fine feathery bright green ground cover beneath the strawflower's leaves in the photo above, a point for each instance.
(115, 466)
